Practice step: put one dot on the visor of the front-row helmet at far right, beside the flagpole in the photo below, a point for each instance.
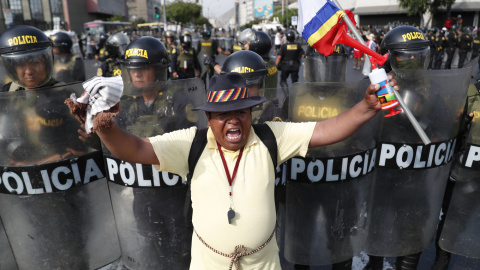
(410, 59)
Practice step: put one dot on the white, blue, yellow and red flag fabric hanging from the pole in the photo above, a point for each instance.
(319, 21)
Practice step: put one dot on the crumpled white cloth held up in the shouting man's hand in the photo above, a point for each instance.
(101, 94)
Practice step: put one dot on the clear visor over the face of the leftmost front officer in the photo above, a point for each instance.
(29, 69)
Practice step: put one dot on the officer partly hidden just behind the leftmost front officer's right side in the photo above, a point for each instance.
(67, 66)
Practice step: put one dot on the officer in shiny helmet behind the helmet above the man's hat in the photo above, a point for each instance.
(260, 43)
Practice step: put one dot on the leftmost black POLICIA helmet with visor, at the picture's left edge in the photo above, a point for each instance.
(26, 45)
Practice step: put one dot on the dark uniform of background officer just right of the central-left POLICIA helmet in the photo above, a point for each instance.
(184, 62)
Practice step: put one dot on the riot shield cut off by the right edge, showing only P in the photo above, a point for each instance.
(461, 230)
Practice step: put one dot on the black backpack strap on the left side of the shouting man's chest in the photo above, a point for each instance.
(198, 144)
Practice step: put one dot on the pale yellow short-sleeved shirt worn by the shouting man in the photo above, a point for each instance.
(252, 192)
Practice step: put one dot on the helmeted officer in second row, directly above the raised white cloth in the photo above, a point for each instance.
(115, 46)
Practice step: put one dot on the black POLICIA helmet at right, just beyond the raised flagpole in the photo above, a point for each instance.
(408, 48)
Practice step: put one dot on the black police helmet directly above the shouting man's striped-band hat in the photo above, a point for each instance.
(249, 64)
